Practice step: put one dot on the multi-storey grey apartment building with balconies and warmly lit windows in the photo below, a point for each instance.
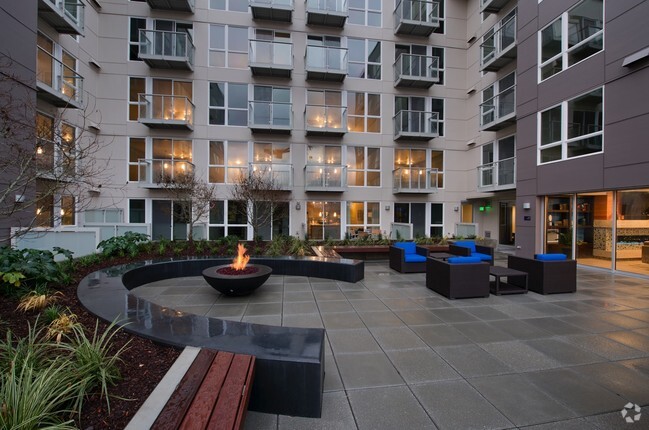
(447, 117)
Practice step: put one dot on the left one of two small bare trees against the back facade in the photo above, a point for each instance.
(192, 197)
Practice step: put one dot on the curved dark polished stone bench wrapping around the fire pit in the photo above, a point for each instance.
(289, 373)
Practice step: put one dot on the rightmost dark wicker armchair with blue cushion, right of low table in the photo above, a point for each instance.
(546, 276)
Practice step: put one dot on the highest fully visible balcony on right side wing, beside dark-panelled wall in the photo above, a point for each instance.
(500, 48)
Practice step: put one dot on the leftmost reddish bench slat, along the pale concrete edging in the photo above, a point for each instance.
(176, 408)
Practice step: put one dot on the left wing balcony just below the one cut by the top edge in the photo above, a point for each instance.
(58, 83)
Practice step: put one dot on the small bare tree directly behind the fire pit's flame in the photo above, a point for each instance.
(260, 194)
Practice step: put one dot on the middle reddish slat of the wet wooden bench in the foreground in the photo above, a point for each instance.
(201, 408)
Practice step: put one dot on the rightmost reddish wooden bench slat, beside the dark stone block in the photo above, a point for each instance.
(228, 408)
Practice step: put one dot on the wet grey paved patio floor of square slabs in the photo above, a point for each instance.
(401, 356)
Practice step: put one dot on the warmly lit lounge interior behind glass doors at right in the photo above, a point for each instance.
(607, 229)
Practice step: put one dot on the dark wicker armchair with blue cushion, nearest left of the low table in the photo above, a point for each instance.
(458, 278)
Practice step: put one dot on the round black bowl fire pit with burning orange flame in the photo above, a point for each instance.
(238, 278)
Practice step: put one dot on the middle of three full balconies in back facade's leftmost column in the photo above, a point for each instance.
(166, 111)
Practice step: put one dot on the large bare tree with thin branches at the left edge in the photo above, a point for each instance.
(48, 159)
